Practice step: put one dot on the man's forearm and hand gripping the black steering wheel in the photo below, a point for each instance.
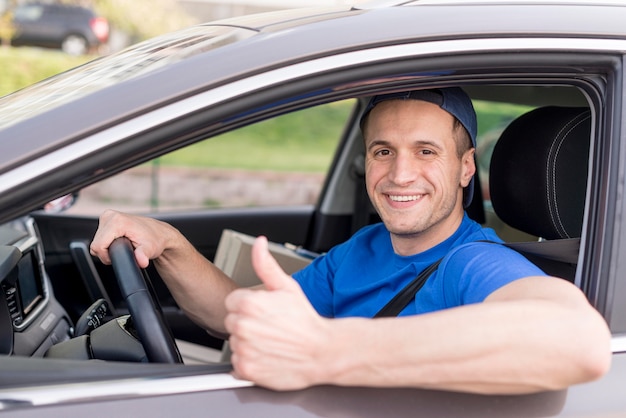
(197, 285)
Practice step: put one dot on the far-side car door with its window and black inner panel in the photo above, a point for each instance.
(201, 193)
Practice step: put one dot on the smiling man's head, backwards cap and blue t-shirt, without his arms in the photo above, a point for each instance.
(419, 169)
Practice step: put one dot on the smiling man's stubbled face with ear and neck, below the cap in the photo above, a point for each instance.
(414, 176)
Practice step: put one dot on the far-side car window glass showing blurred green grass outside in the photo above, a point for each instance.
(281, 161)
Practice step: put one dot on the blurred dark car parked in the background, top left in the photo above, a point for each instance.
(76, 30)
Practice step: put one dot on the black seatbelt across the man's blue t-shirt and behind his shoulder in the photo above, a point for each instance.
(562, 250)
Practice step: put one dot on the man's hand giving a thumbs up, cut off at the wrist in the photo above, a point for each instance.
(277, 338)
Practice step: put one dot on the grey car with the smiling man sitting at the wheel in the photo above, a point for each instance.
(546, 78)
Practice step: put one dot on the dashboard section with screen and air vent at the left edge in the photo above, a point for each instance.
(31, 320)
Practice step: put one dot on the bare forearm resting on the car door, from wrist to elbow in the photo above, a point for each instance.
(497, 347)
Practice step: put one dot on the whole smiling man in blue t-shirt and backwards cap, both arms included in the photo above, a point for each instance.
(486, 321)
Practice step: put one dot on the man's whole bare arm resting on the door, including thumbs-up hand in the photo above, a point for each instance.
(533, 334)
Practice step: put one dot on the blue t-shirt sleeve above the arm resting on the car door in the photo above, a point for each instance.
(474, 271)
